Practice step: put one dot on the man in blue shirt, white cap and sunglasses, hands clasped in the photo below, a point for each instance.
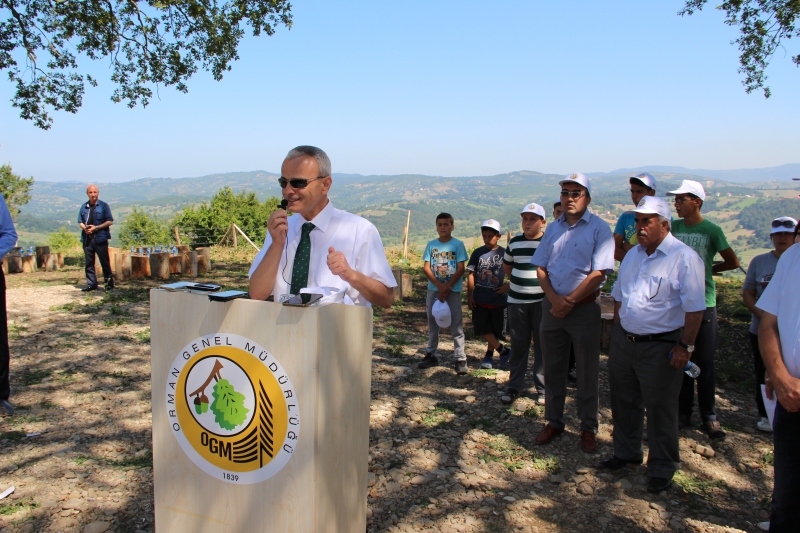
(573, 258)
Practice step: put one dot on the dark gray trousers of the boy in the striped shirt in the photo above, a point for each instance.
(523, 321)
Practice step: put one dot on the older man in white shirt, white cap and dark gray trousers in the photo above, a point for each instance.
(659, 303)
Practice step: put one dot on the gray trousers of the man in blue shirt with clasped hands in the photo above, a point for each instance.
(581, 328)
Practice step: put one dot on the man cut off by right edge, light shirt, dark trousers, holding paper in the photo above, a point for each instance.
(779, 340)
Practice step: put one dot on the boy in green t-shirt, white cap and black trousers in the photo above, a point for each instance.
(708, 240)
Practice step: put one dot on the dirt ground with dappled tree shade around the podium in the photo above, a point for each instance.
(445, 454)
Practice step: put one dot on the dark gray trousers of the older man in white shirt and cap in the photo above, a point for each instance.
(641, 378)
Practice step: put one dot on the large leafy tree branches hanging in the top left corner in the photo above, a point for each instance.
(147, 43)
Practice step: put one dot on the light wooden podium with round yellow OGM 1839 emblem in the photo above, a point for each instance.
(325, 352)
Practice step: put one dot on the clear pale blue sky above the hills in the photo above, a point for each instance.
(450, 88)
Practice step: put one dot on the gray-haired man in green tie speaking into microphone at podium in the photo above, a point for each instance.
(323, 247)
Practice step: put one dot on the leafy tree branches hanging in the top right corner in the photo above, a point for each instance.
(763, 25)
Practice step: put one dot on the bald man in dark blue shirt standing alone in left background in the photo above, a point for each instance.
(94, 219)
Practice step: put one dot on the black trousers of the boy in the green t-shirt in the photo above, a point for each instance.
(703, 356)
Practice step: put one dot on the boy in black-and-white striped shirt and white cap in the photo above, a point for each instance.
(525, 304)
